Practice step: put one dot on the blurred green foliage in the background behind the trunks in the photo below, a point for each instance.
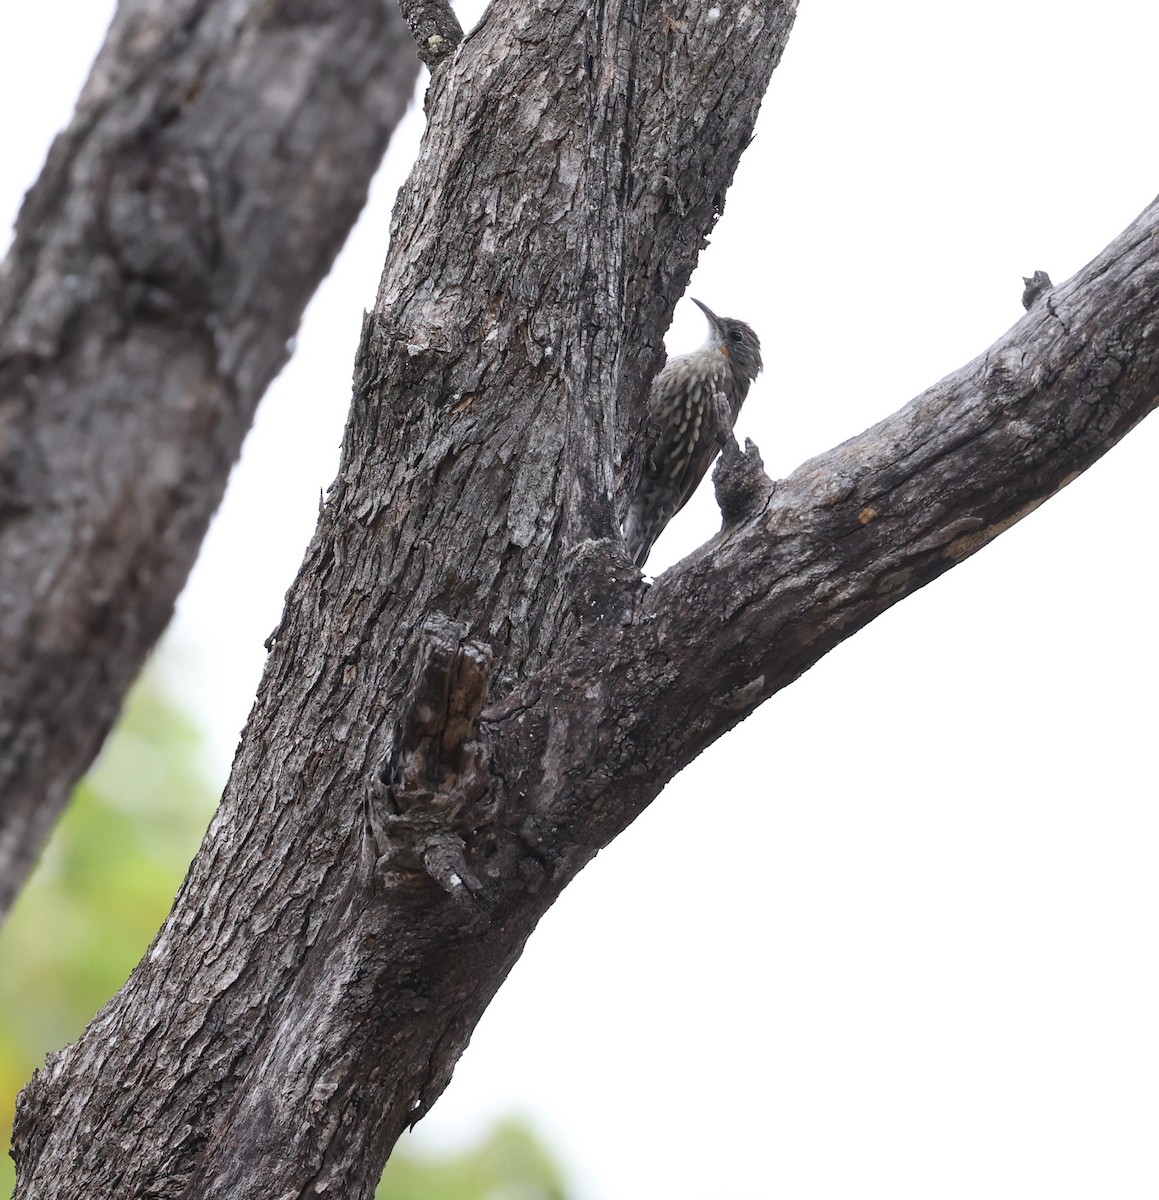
(105, 885)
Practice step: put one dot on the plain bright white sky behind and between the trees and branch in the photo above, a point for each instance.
(894, 937)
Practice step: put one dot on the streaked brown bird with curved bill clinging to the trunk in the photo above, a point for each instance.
(690, 403)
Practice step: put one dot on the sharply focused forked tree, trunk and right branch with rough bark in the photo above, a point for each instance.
(389, 837)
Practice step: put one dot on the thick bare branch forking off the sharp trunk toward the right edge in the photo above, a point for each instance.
(838, 543)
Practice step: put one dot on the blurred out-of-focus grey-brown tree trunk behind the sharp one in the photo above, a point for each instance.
(220, 153)
